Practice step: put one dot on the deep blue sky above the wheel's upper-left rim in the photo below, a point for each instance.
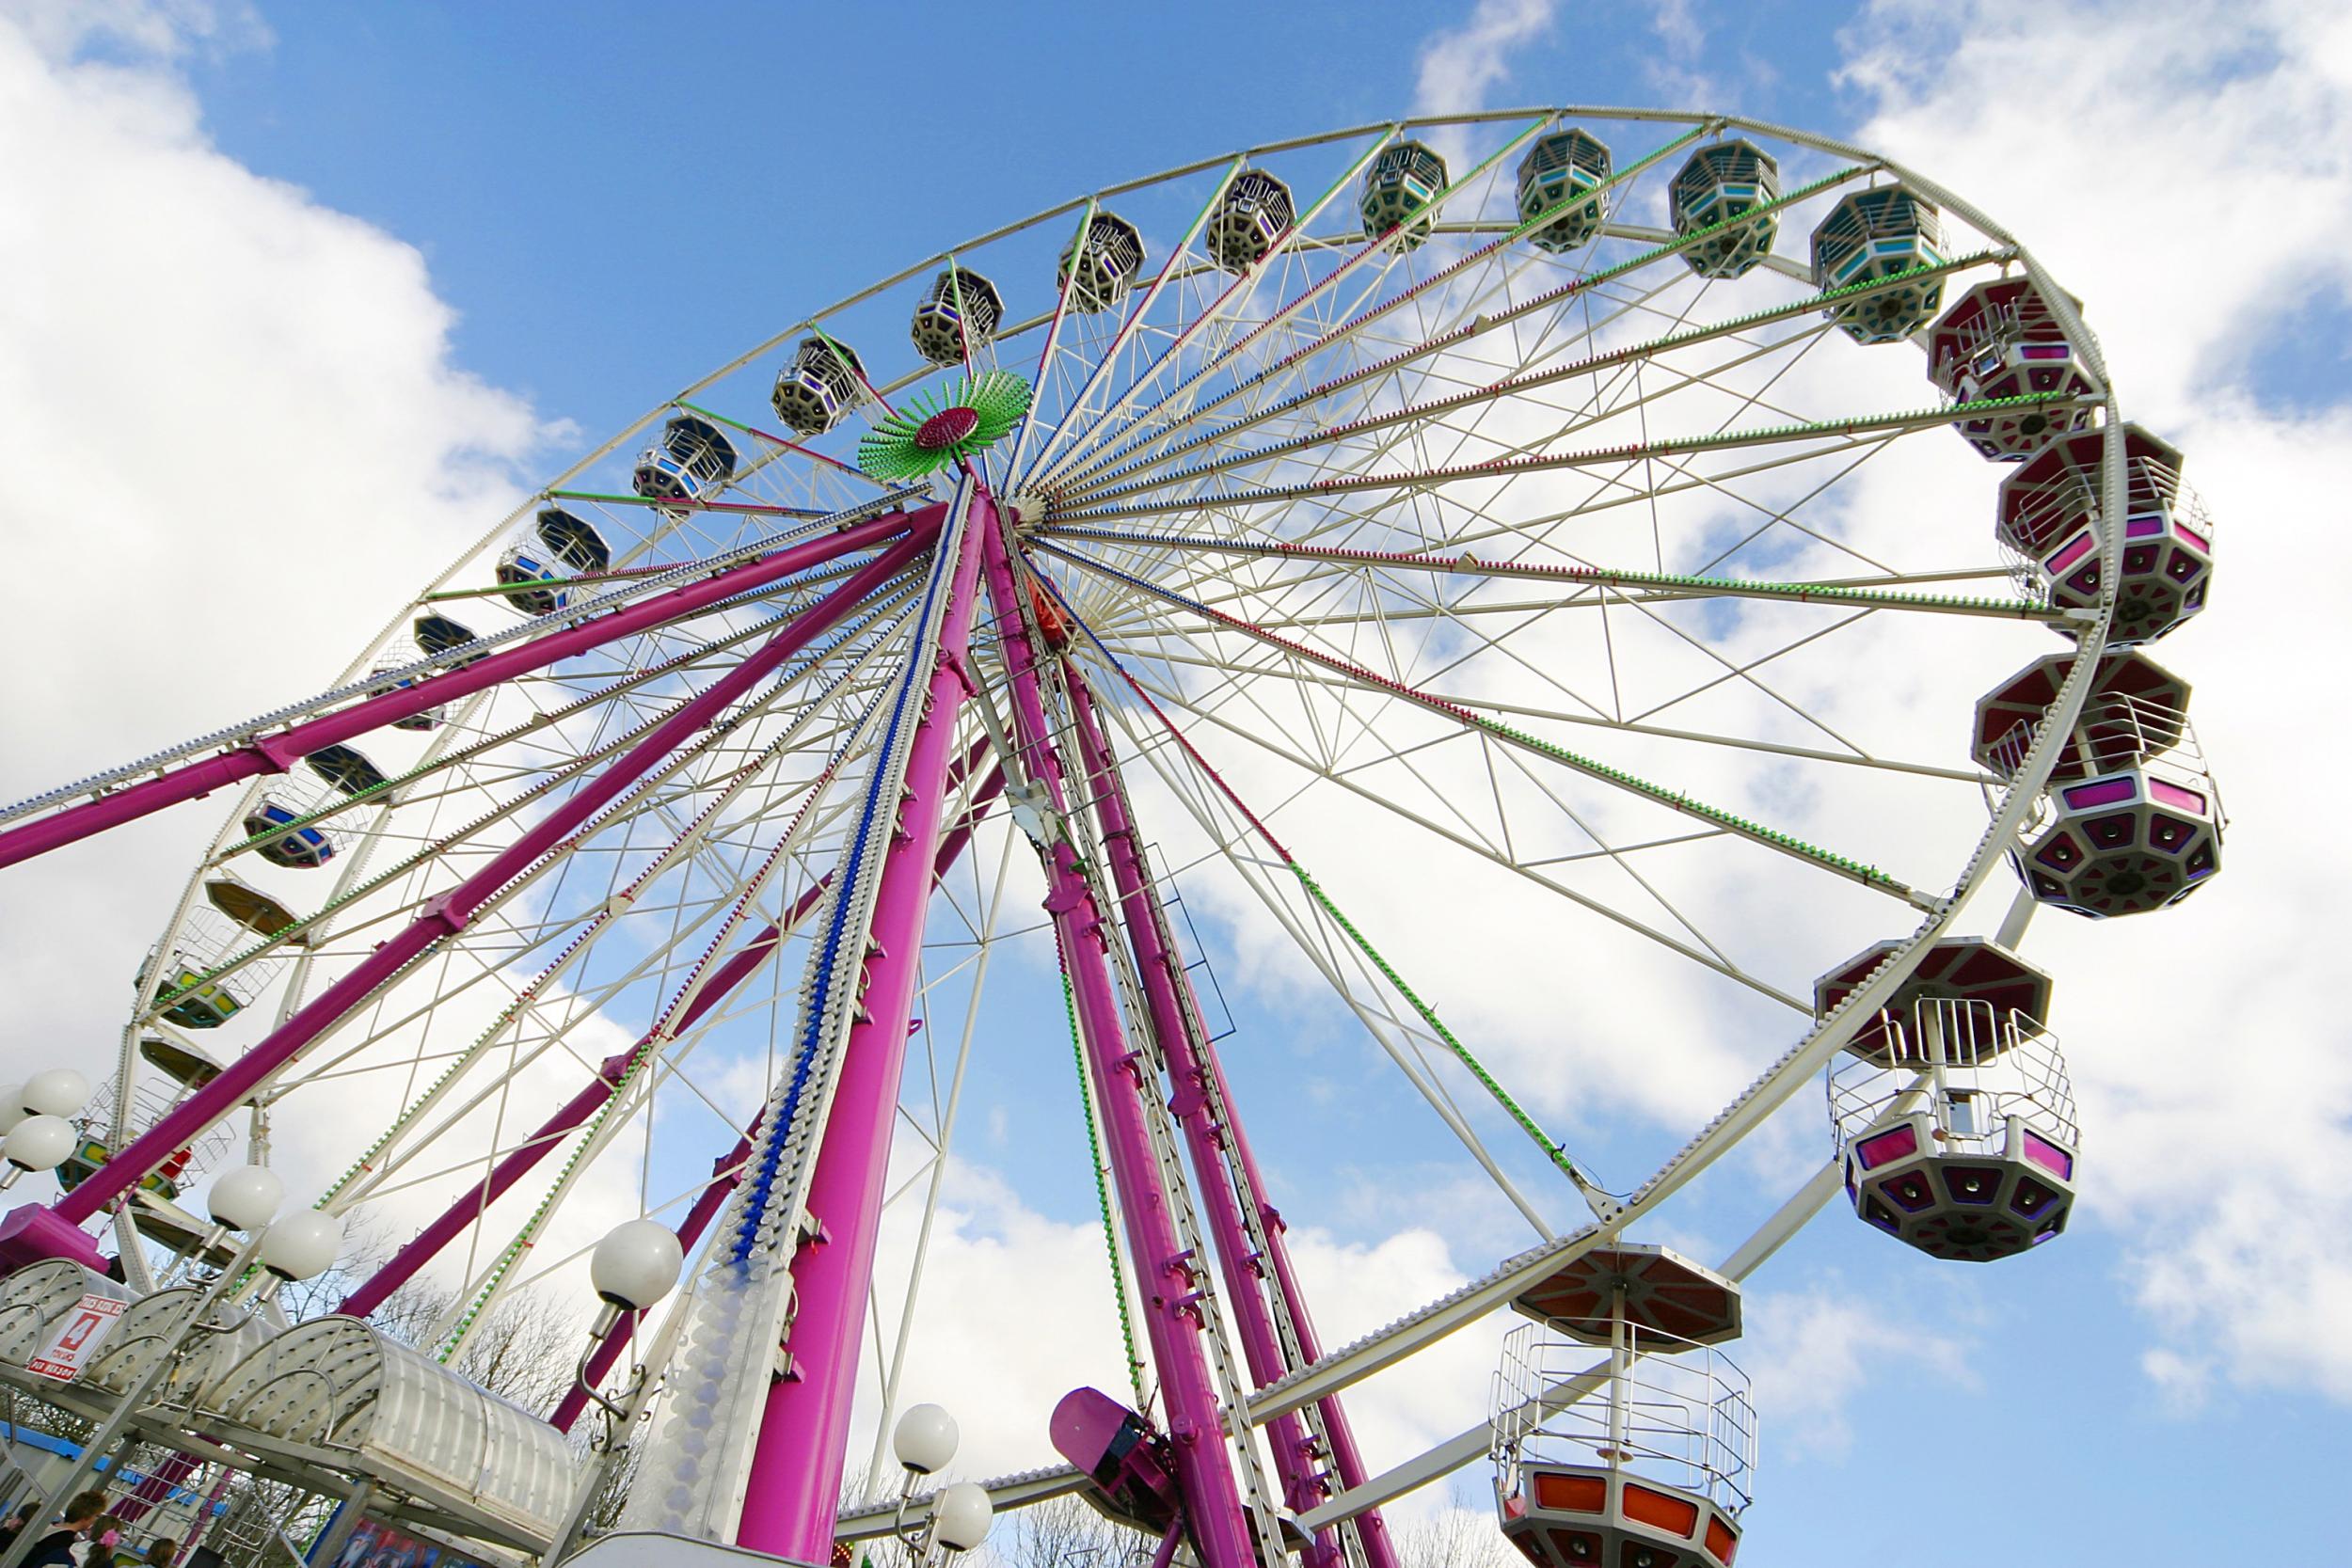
(676, 175)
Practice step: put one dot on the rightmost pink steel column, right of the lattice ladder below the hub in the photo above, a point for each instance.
(1168, 989)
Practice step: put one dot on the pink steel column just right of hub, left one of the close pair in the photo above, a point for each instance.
(1163, 1266)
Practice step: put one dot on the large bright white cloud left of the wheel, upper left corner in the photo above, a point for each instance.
(234, 422)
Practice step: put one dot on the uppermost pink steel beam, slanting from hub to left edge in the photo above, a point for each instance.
(281, 751)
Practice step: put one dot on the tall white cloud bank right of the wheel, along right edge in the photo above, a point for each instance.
(2186, 166)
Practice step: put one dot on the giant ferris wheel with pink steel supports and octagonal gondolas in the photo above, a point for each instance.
(1655, 568)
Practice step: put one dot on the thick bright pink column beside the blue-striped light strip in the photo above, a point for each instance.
(794, 1492)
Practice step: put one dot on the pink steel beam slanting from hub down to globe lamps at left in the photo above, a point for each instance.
(34, 1233)
